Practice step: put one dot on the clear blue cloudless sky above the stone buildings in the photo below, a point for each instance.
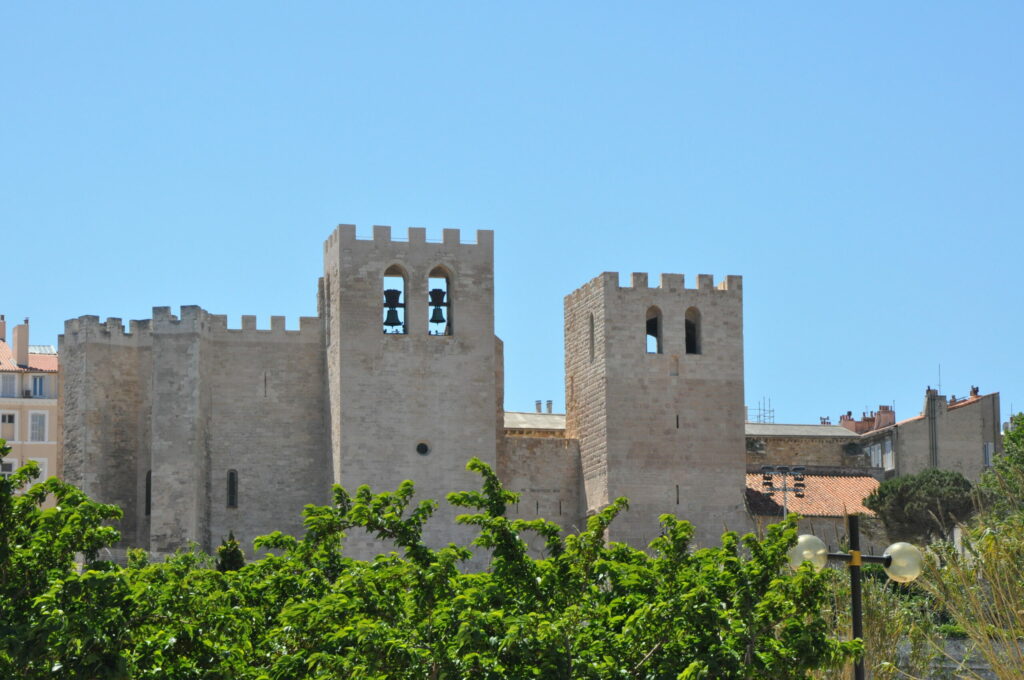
(862, 167)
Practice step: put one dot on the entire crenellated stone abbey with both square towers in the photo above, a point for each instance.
(196, 430)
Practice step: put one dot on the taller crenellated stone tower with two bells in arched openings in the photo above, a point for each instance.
(413, 367)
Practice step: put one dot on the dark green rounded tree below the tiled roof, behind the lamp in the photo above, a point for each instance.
(924, 506)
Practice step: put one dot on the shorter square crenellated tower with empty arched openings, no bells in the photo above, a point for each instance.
(655, 395)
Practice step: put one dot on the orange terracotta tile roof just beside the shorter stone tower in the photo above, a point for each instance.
(827, 496)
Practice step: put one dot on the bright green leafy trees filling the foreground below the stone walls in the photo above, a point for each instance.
(588, 610)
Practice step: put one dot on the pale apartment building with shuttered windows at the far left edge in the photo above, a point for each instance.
(29, 418)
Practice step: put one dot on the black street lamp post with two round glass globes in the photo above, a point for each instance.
(902, 562)
